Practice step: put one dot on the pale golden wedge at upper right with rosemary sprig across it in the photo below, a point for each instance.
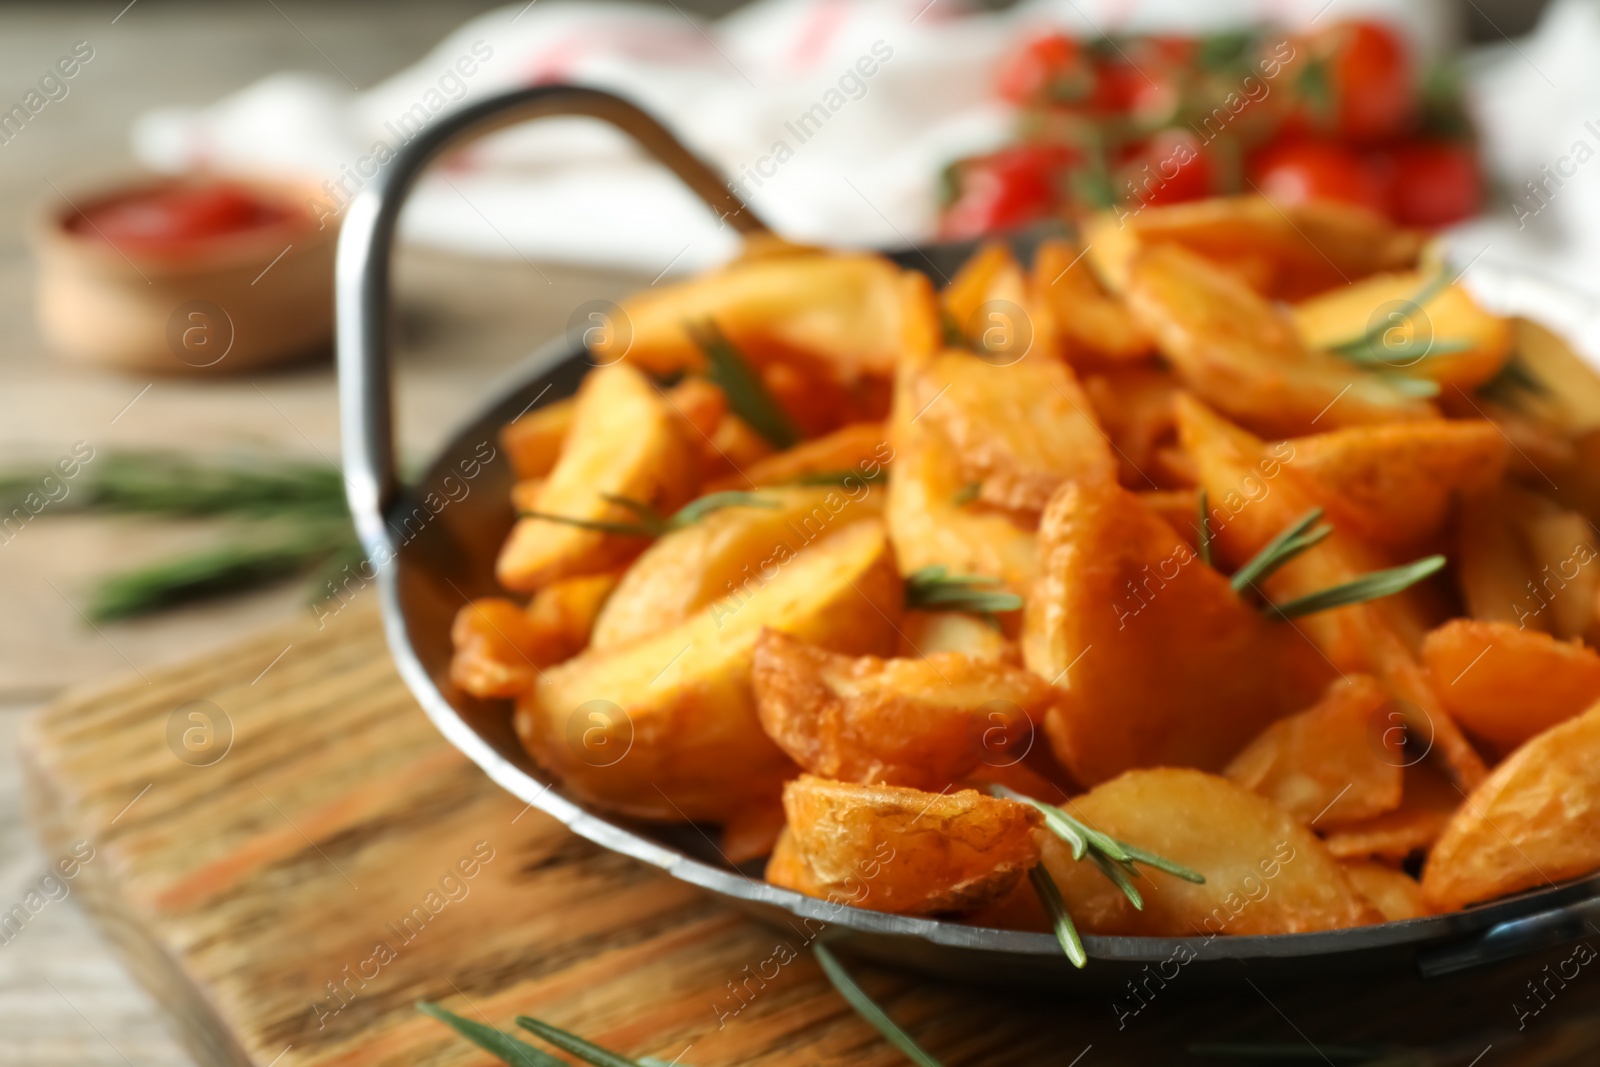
(1386, 300)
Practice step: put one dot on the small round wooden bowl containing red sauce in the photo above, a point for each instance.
(225, 305)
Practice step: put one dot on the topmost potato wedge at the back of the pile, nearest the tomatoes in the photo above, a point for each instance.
(1284, 252)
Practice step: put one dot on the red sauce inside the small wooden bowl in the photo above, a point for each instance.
(182, 217)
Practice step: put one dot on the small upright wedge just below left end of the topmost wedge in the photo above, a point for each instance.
(1090, 327)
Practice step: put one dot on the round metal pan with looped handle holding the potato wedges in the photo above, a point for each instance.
(436, 549)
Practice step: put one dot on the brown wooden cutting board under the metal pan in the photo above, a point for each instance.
(290, 857)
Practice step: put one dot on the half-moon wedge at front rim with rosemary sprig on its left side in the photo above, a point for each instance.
(1265, 873)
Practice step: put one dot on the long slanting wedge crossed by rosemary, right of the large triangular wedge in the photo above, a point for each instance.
(1254, 497)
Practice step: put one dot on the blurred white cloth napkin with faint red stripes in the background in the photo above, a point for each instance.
(894, 89)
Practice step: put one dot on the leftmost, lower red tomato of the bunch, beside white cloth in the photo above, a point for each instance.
(1007, 190)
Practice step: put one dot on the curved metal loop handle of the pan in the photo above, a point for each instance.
(364, 329)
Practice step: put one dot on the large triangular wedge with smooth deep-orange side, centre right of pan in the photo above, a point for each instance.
(1158, 660)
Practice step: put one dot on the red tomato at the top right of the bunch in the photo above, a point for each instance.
(1370, 74)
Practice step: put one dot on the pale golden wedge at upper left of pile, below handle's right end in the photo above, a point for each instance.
(841, 310)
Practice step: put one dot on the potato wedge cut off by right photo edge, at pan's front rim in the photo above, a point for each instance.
(1534, 823)
